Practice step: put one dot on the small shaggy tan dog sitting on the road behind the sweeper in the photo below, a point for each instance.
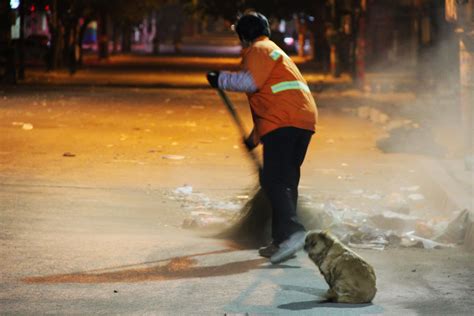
(350, 278)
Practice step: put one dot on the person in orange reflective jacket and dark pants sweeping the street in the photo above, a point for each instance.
(284, 115)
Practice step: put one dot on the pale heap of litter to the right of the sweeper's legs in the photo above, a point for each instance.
(388, 229)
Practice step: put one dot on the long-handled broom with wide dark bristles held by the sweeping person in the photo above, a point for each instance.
(251, 226)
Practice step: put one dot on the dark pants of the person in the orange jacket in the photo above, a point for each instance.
(284, 150)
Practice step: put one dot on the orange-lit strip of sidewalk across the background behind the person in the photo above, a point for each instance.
(158, 72)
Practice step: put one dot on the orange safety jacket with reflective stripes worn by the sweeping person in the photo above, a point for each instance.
(283, 97)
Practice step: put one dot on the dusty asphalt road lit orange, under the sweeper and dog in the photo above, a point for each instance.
(98, 230)
